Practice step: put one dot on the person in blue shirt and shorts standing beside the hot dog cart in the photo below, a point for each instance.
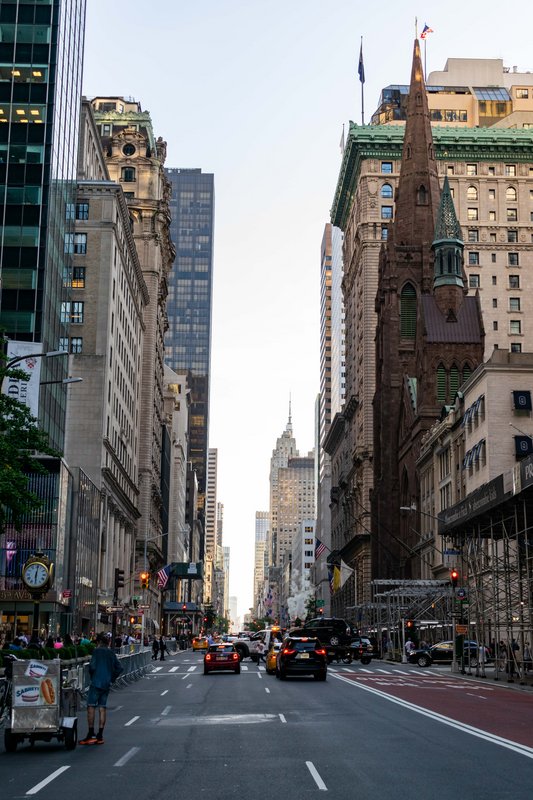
(104, 669)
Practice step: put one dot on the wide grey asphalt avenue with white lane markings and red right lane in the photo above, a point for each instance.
(385, 730)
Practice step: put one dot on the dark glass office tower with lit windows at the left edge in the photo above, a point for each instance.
(41, 54)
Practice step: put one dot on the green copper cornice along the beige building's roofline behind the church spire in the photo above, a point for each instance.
(384, 142)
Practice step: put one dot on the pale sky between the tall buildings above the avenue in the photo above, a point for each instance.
(258, 93)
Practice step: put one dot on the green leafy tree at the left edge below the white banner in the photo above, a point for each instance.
(21, 441)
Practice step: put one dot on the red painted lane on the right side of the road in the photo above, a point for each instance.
(483, 704)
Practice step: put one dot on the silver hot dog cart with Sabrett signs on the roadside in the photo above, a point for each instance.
(36, 706)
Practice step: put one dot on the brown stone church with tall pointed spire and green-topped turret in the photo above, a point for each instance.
(422, 315)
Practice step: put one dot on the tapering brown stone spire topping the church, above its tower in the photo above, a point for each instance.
(418, 192)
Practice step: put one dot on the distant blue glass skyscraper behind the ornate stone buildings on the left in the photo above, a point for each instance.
(190, 290)
